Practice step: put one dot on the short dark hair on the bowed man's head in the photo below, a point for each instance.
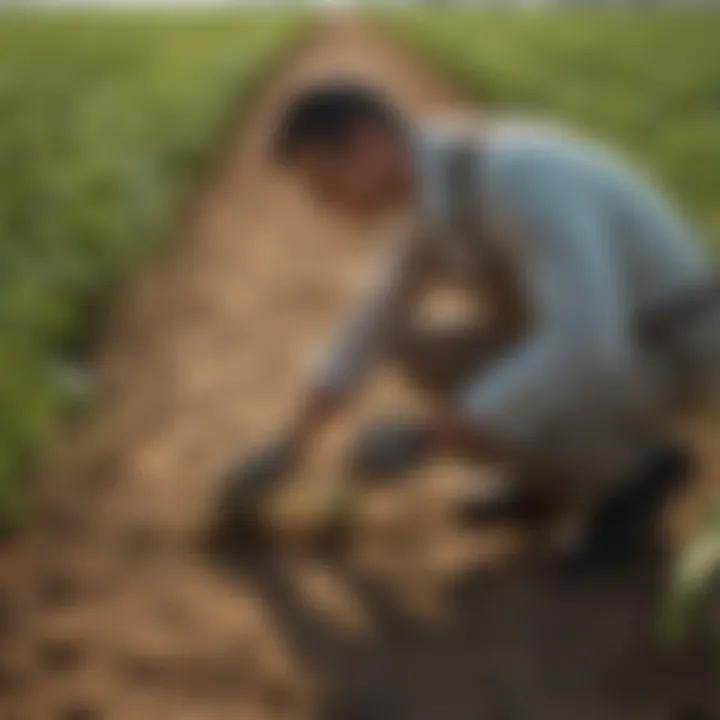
(326, 114)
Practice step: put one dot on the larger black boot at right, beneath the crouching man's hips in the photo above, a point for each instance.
(625, 524)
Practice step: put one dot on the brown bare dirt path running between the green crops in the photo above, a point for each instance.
(117, 614)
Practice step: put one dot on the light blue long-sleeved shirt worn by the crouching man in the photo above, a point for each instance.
(594, 247)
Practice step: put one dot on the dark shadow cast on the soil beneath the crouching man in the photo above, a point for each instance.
(524, 642)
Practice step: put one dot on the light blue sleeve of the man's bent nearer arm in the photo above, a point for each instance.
(578, 338)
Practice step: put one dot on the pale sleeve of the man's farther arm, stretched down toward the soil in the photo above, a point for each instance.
(384, 307)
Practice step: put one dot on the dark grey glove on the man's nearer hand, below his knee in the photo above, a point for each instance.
(389, 448)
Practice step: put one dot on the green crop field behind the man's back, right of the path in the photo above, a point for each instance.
(648, 81)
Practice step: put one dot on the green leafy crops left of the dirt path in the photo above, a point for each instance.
(105, 120)
